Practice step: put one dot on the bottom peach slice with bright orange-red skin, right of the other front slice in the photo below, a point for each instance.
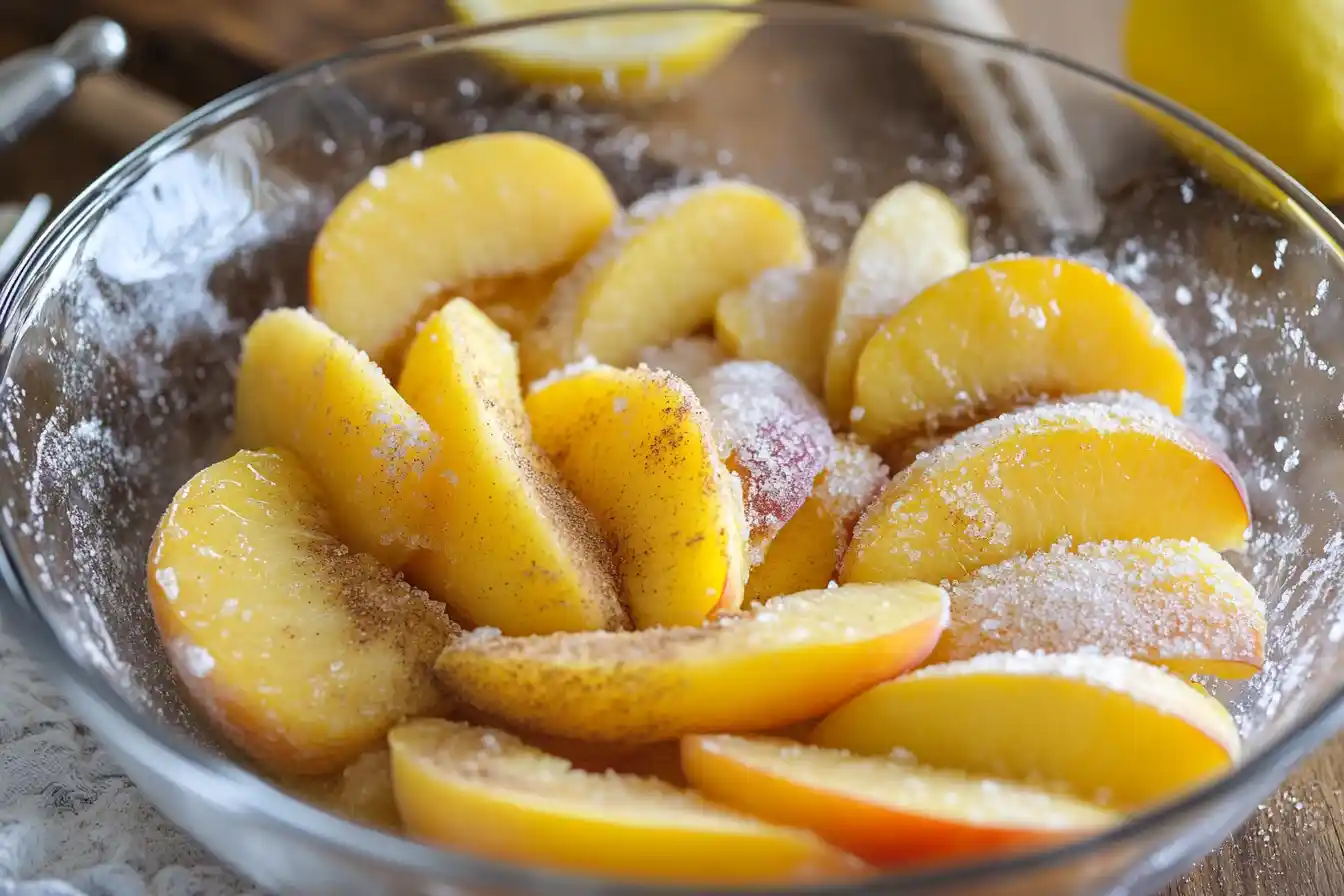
(885, 812)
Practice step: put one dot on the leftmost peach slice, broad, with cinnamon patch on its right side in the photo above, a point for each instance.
(303, 654)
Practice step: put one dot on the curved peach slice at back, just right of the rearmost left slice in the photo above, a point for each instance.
(661, 269)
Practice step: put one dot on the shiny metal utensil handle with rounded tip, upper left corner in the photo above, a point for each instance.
(36, 83)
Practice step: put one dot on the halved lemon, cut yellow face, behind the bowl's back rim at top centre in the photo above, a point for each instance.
(638, 54)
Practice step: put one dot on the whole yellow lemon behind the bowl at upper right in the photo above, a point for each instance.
(1271, 72)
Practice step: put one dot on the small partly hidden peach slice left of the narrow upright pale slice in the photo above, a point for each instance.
(783, 316)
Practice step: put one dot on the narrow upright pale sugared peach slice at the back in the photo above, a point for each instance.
(911, 240)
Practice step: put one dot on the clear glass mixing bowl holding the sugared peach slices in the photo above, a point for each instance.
(122, 330)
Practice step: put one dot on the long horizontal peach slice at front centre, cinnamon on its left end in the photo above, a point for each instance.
(788, 660)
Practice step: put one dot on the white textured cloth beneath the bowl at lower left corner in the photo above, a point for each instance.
(72, 824)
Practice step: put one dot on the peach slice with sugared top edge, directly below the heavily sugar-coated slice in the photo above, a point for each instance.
(1112, 730)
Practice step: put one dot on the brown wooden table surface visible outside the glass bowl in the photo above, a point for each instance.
(198, 49)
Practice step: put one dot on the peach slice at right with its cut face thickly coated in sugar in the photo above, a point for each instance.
(1177, 604)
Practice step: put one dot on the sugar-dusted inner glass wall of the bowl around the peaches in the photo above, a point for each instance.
(122, 334)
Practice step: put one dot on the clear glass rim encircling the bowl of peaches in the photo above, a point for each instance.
(232, 787)
